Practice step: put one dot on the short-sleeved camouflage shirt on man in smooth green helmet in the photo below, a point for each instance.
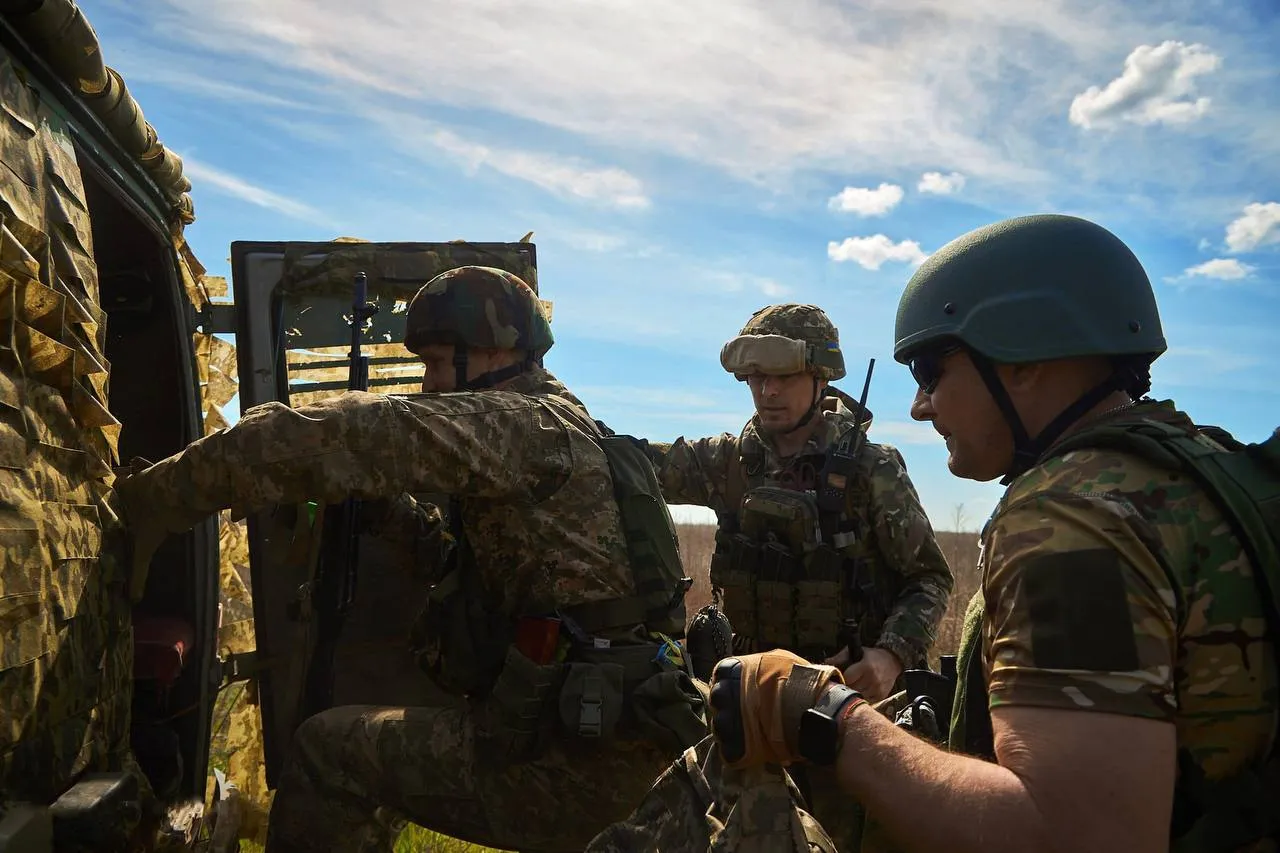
(1116, 586)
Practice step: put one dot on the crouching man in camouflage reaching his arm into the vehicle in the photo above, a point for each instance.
(554, 627)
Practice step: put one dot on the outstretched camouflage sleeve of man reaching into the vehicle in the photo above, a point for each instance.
(495, 445)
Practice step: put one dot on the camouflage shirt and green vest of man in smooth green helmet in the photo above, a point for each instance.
(1178, 606)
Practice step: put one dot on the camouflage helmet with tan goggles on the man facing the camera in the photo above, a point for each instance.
(804, 325)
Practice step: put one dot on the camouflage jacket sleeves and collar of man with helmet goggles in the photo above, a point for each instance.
(897, 541)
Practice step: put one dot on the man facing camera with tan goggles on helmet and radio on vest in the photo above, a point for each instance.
(876, 563)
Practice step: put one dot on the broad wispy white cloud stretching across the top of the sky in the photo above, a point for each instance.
(926, 71)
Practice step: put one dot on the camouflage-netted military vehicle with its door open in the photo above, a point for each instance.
(113, 346)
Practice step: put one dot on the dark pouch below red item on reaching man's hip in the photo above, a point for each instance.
(520, 701)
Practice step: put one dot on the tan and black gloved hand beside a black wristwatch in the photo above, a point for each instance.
(757, 704)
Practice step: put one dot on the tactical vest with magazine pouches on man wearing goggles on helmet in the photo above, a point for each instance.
(781, 571)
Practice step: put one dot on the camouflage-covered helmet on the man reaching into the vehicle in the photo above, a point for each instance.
(478, 307)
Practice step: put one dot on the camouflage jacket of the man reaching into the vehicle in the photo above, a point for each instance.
(533, 489)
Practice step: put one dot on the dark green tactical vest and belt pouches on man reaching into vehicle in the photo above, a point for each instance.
(469, 647)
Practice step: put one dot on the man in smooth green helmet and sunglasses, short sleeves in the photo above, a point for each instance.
(1118, 672)
